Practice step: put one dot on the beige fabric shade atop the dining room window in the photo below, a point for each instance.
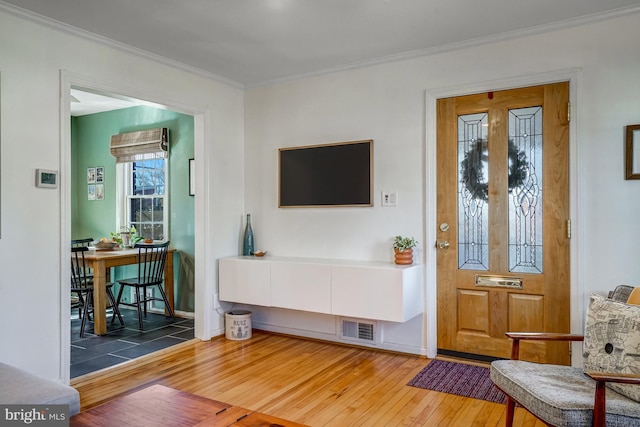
(140, 145)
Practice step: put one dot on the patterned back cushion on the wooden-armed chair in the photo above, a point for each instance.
(612, 341)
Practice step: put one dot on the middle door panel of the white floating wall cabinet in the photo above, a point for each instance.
(301, 286)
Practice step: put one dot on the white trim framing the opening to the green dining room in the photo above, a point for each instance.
(205, 279)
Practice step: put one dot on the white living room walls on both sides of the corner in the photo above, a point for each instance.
(384, 102)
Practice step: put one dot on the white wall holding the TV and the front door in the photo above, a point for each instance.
(387, 103)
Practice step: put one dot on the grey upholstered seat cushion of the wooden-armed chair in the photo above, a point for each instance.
(560, 395)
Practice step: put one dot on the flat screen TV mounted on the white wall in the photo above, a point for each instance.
(338, 174)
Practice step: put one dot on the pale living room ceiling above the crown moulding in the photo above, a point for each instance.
(250, 43)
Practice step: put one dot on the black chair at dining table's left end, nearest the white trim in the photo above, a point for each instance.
(82, 287)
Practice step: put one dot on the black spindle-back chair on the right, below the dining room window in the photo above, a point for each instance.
(151, 262)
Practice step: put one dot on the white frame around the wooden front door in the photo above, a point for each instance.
(573, 76)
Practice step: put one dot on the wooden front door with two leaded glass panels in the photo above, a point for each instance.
(502, 217)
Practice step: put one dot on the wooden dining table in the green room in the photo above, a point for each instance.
(101, 261)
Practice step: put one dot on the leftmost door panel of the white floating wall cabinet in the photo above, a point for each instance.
(245, 281)
